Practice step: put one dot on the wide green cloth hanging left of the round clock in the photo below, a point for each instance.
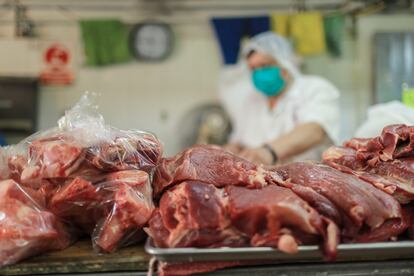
(105, 41)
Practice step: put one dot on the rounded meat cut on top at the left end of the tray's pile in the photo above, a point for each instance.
(209, 164)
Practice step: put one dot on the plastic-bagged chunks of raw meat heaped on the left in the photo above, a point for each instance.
(81, 178)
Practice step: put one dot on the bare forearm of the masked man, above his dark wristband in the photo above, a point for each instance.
(300, 139)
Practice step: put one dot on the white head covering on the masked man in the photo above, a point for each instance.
(277, 47)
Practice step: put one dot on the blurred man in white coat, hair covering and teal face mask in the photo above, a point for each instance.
(279, 115)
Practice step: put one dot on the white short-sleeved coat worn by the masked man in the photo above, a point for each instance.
(309, 99)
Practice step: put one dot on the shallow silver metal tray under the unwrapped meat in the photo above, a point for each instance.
(308, 253)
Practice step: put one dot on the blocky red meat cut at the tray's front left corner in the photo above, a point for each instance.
(194, 214)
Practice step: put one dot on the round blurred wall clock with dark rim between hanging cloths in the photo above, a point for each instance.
(151, 41)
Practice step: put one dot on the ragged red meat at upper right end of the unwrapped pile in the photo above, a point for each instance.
(390, 174)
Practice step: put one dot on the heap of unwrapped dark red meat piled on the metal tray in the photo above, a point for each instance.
(211, 198)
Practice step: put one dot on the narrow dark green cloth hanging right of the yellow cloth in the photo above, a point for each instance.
(334, 29)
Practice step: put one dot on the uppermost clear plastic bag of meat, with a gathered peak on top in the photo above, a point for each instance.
(83, 143)
